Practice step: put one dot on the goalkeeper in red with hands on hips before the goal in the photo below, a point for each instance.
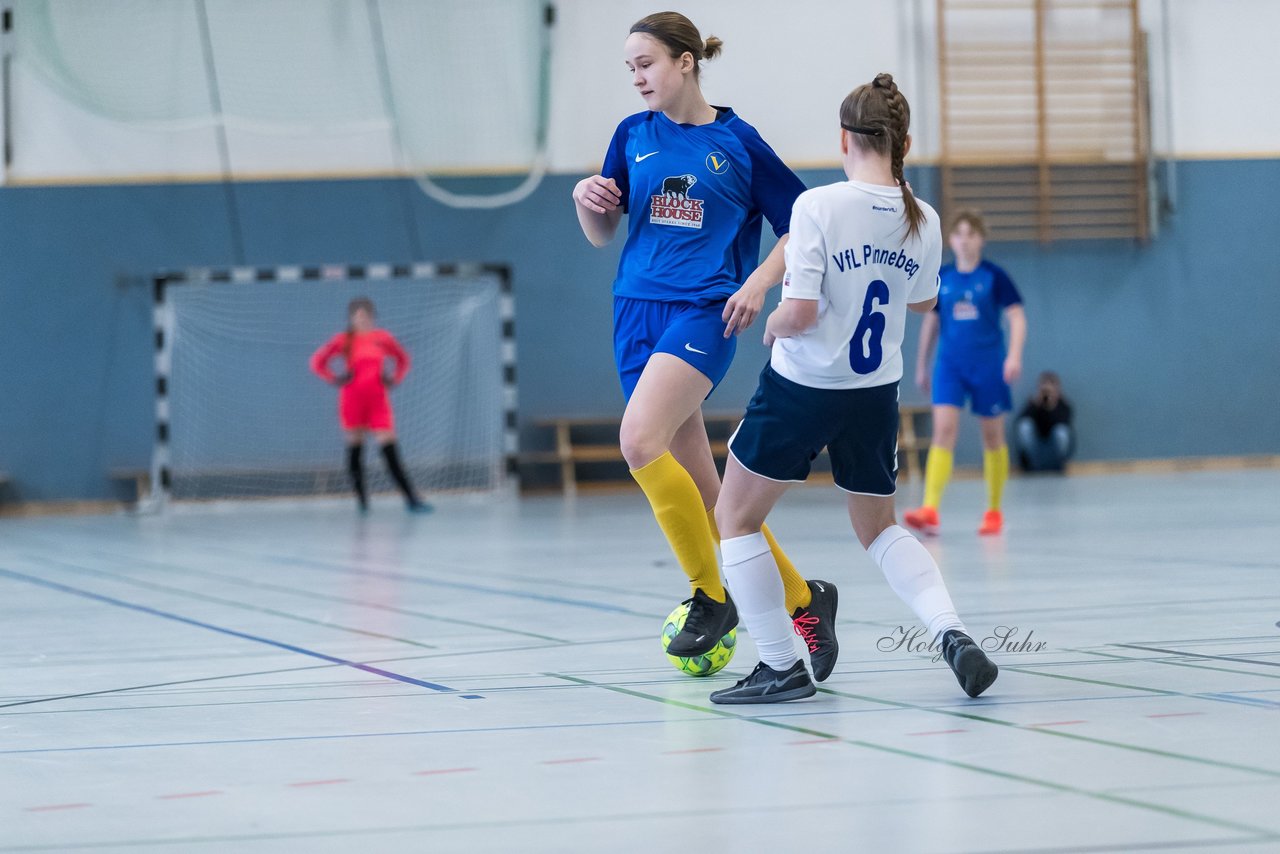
(364, 405)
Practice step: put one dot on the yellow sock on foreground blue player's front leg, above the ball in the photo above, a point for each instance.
(679, 508)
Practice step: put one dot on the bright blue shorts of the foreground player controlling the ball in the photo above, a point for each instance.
(692, 332)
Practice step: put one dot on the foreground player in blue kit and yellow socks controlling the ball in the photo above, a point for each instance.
(696, 182)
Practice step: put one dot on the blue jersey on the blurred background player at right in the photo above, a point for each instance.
(970, 307)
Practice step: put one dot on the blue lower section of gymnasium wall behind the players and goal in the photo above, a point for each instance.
(1167, 350)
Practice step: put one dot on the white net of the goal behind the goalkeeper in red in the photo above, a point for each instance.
(248, 418)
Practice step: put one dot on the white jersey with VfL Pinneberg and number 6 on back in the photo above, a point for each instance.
(847, 252)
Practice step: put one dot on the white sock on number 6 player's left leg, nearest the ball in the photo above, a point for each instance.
(753, 579)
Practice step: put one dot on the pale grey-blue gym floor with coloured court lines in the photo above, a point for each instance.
(284, 678)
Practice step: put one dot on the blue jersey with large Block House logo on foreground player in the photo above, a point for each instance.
(696, 197)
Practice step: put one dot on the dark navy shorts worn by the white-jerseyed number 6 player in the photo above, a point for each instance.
(788, 426)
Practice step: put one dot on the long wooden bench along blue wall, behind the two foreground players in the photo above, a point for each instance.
(586, 441)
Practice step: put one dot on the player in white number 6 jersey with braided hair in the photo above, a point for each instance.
(861, 254)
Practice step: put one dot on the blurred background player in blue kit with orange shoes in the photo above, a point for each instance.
(973, 364)
